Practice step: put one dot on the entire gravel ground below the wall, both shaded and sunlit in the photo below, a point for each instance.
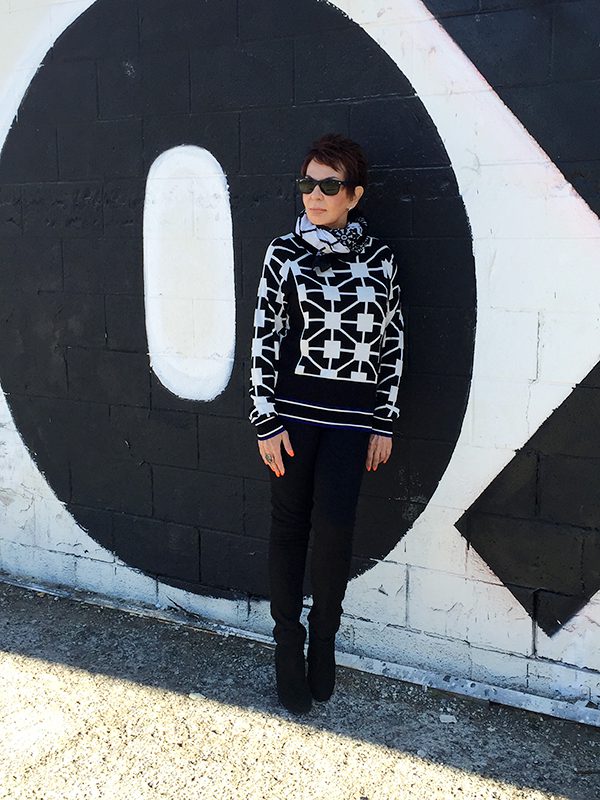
(100, 703)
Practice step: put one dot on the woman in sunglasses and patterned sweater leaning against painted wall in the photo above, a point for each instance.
(326, 363)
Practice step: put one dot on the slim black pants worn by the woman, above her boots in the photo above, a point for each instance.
(320, 487)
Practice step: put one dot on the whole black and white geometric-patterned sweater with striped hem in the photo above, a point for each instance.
(328, 346)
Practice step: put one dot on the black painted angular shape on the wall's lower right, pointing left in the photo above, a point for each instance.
(538, 523)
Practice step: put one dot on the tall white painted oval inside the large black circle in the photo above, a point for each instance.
(189, 289)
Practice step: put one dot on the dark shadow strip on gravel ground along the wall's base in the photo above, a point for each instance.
(522, 749)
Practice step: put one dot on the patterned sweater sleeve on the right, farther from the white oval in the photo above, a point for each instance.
(391, 360)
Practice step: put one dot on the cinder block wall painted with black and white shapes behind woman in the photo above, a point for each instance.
(477, 549)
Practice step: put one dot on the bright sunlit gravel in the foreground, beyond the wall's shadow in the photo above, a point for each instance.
(82, 735)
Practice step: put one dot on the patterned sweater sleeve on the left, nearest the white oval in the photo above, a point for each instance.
(270, 325)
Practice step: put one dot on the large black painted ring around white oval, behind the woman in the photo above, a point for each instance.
(174, 487)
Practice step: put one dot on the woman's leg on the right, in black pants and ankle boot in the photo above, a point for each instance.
(339, 470)
